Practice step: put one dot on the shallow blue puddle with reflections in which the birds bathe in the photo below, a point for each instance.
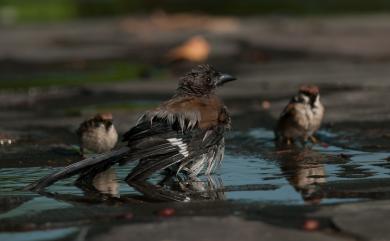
(253, 171)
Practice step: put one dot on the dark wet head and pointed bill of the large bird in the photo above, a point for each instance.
(202, 80)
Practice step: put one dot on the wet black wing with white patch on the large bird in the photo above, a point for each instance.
(159, 144)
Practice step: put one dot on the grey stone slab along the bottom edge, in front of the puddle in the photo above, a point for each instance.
(210, 228)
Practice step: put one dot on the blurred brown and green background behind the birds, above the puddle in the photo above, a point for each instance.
(62, 61)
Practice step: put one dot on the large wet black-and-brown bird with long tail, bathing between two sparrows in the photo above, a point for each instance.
(184, 134)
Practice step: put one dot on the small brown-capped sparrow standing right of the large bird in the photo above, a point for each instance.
(302, 117)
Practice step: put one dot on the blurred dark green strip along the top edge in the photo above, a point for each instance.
(22, 11)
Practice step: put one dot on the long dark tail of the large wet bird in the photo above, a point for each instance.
(105, 159)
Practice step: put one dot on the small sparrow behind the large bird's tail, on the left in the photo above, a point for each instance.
(97, 134)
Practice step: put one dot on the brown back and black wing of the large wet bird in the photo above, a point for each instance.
(176, 132)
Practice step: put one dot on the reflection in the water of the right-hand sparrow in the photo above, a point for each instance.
(304, 171)
